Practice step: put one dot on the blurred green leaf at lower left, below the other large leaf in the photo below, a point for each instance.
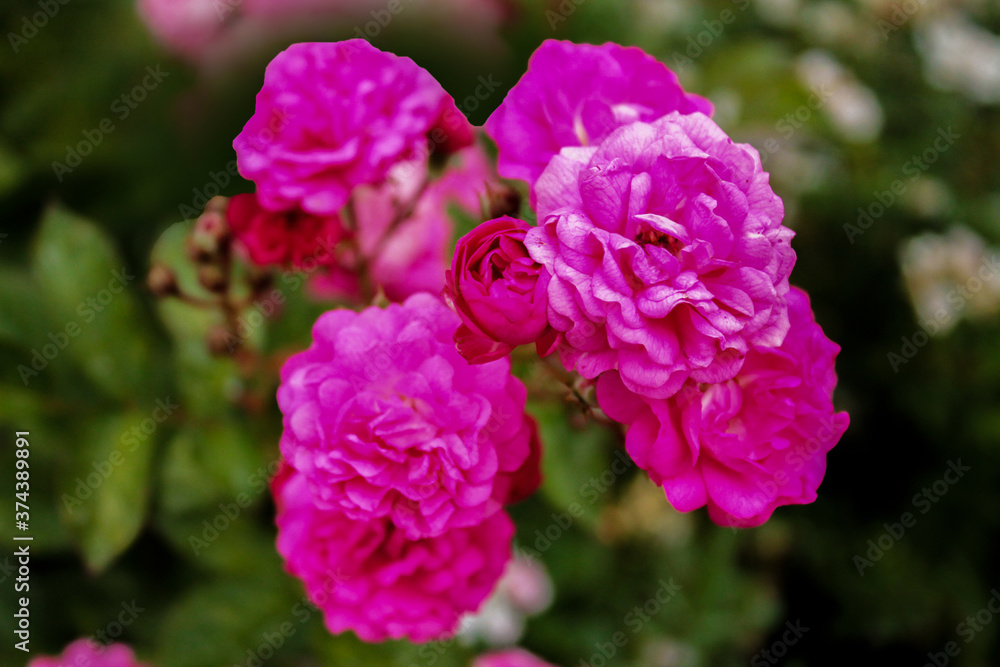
(104, 497)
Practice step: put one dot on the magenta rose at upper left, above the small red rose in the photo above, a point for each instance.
(332, 116)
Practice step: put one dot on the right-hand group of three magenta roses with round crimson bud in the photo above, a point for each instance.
(658, 270)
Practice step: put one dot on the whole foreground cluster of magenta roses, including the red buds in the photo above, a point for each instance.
(658, 270)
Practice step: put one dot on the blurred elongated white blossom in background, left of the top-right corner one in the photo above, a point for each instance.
(853, 109)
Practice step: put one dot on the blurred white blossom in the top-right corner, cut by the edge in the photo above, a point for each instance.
(960, 55)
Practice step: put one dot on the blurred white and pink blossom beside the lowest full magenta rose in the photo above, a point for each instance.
(524, 590)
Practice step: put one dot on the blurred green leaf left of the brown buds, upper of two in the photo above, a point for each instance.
(88, 291)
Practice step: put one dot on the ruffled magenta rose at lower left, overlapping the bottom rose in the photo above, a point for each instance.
(386, 420)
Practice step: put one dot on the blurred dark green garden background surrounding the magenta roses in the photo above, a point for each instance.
(878, 123)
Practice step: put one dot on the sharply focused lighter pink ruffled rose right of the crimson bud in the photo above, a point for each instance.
(667, 252)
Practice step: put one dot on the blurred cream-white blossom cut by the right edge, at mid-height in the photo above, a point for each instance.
(951, 275)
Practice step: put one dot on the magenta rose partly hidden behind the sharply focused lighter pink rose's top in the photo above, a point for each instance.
(576, 95)
